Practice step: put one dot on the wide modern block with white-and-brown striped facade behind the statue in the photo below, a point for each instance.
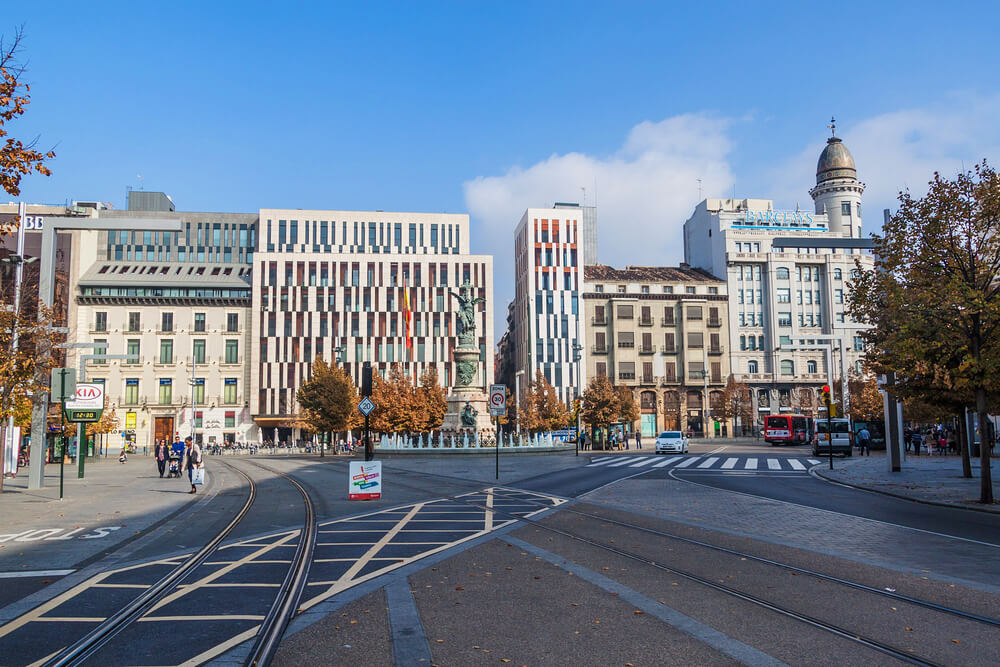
(330, 284)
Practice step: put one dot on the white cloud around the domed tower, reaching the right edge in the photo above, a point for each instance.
(902, 149)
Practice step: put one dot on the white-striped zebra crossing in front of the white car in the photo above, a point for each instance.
(738, 464)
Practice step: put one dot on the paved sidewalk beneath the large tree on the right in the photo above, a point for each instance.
(936, 479)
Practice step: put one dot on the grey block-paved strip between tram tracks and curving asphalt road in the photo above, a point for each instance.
(848, 537)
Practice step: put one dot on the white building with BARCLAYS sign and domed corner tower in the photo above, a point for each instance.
(788, 274)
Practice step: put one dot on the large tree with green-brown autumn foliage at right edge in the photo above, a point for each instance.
(933, 303)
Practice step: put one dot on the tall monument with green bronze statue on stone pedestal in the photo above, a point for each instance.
(468, 409)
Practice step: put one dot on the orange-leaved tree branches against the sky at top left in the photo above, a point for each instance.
(17, 159)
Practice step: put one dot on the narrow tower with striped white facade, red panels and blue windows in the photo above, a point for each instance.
(550, 247)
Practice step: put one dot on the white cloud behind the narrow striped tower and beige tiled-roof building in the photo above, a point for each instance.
(645, 192)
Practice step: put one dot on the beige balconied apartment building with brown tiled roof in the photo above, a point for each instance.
(661, 331)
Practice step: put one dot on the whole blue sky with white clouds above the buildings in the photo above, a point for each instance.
(491, 108)
